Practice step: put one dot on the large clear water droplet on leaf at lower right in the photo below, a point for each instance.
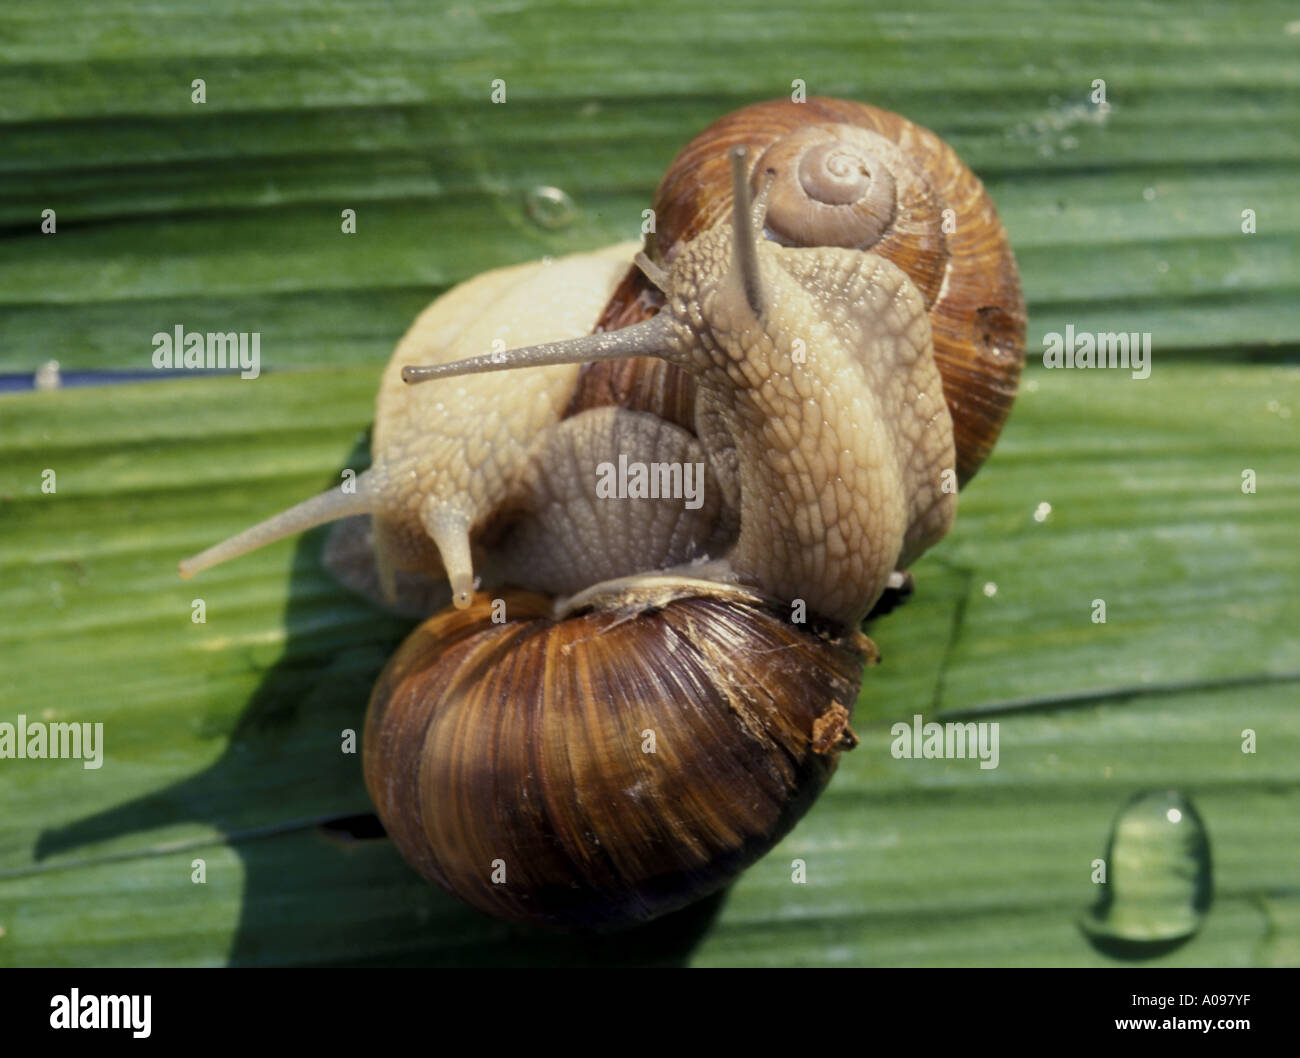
(1159, 878)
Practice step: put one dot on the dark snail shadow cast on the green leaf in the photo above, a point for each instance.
(331, 890)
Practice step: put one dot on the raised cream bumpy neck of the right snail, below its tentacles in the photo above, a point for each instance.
(837, 471)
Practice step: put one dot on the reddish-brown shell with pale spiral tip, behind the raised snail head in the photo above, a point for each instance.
(847, 175)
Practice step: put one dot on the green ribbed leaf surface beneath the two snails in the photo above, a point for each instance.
(223, 739)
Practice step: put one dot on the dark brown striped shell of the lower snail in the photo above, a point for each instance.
(513, 764)
